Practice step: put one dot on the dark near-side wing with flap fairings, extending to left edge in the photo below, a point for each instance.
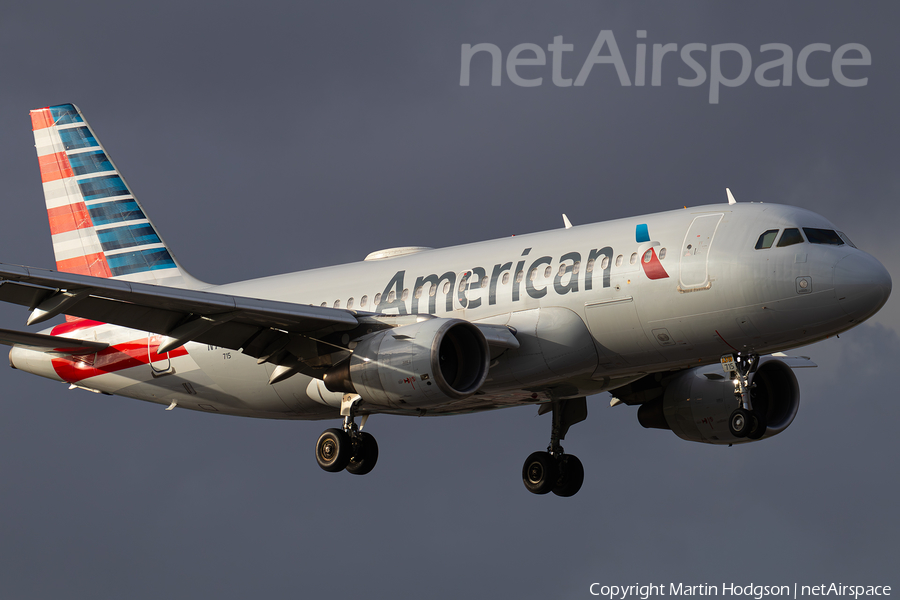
(279, 332)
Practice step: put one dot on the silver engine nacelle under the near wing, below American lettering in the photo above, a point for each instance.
(424, 364)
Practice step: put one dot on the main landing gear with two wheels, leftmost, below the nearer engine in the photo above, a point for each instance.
(348, 448)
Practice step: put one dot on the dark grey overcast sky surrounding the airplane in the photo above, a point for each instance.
(267, 138)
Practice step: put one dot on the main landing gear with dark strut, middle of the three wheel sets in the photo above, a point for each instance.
(554, 470)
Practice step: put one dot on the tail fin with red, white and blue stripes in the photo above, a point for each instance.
(97, 224)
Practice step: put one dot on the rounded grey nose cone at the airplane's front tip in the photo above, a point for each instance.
(861, 285)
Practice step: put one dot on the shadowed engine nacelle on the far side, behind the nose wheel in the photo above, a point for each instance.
(696, 404)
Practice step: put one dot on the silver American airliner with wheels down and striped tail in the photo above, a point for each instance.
(685, 314)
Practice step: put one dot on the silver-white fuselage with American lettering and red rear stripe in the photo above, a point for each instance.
(593, 307)
